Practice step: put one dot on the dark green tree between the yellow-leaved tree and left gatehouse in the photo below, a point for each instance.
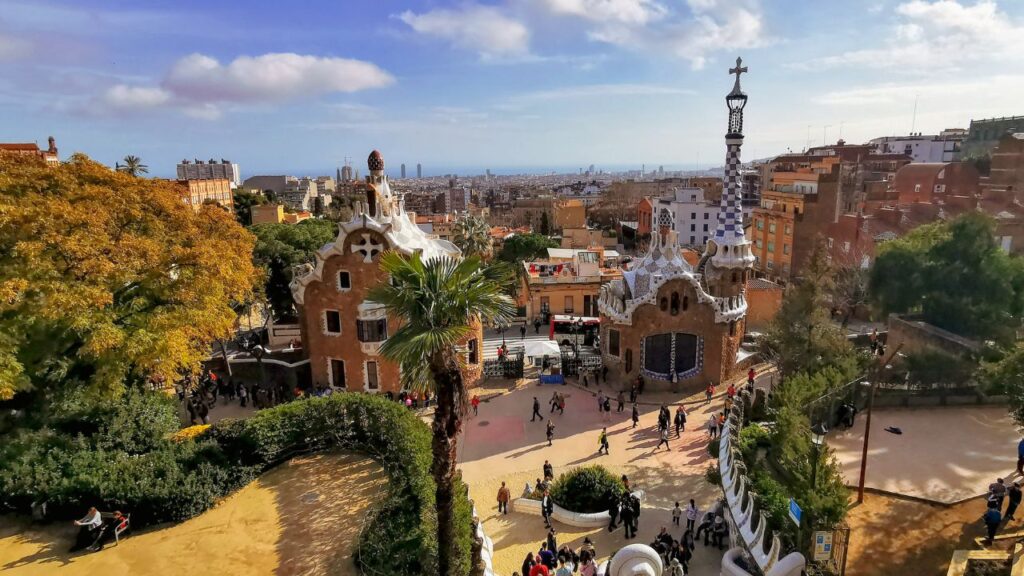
(280, 249)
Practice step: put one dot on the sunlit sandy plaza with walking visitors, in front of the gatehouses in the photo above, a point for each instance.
(502, 445)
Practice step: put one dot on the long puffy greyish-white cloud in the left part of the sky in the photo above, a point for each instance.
(274, 77)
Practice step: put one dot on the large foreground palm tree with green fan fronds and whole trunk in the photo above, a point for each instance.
(439, 301)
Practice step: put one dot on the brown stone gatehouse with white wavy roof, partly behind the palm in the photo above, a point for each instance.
(343, 332)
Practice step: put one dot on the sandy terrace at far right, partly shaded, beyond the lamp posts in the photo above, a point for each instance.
(946, 455)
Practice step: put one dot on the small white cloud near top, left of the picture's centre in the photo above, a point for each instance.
(485, 30)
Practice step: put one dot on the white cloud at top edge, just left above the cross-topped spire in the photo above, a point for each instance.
(711, 26)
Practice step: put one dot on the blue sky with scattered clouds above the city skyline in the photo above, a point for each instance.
(463, 86)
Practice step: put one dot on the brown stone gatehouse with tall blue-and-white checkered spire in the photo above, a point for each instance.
(676, 325)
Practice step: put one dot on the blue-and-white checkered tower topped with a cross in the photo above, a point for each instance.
(732, 249)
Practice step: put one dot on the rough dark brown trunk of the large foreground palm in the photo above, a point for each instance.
(448, 423)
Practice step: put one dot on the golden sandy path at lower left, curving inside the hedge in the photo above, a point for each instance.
(302, 518)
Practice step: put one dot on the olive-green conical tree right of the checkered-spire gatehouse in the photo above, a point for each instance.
(802, 337)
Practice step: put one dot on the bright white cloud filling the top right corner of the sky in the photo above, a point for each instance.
(943, 34)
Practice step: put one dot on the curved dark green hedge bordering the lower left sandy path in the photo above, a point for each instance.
(180, 479)
